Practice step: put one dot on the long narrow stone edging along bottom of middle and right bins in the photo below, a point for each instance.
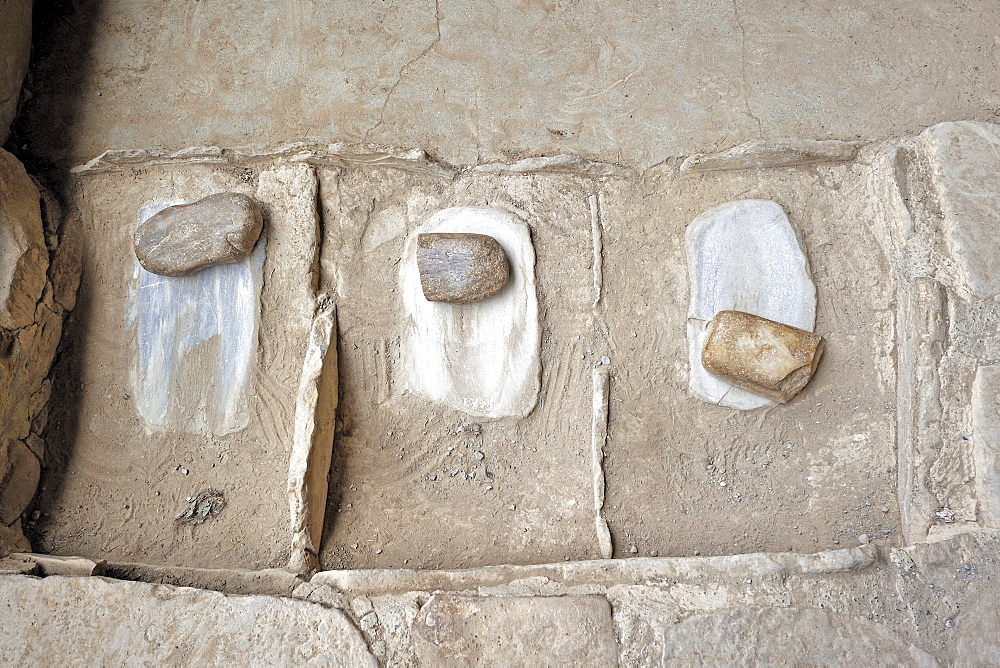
(602, 572)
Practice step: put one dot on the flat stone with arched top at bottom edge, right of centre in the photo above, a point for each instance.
(785, 636)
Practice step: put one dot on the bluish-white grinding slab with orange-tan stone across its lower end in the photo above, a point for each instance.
(743, 256)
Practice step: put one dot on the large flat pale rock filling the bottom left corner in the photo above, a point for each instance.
(101, 622)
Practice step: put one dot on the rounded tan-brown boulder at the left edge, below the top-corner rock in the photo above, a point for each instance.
(24, 258)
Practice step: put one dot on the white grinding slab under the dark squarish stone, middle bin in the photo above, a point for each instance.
(481, 358)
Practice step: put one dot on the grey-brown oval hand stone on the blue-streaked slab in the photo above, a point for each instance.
(185, 238)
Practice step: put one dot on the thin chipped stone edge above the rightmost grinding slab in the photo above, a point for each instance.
(771, 153)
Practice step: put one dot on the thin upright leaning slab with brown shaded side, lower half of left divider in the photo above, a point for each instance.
(312, 443)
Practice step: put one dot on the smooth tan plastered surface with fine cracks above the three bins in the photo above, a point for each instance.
(473, 82)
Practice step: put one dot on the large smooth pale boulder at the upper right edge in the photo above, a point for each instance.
(965, 167)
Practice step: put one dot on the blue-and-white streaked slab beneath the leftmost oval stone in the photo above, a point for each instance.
(195, 338)
